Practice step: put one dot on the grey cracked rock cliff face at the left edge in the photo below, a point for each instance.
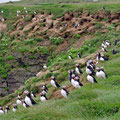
(23, 68)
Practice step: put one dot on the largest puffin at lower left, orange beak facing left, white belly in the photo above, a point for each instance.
(28, 100)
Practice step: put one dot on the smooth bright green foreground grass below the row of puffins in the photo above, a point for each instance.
(93, 102)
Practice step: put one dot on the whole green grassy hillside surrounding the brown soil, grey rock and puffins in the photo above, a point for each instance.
(91, 102)
